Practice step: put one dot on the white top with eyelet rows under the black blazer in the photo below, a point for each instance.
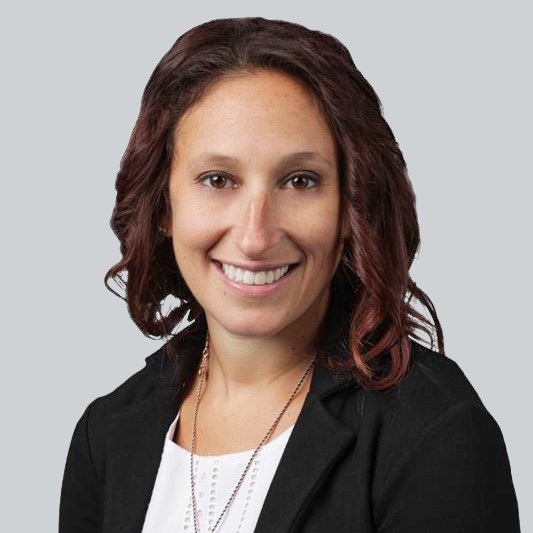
(170, 508)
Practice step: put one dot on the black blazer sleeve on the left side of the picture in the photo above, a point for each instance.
(80, 508)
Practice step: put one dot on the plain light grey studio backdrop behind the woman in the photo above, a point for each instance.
(455, 82)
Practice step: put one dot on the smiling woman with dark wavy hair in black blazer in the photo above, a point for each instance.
(263, 188)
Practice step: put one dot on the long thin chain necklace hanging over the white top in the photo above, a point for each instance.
(202, 372)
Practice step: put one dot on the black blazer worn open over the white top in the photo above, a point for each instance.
(424, 457)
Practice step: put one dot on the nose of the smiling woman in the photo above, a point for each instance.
(256, 226)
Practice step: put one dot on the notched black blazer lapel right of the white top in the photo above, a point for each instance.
(316, 442)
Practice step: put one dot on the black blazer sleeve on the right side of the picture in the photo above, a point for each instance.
(455, 478)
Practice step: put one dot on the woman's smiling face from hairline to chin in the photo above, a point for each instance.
(254, 183)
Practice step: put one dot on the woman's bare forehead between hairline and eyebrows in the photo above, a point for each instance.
(255, 113)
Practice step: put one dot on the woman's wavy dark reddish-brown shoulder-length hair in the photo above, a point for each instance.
(371, 313)
